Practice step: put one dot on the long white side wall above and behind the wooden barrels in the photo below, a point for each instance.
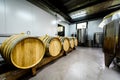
(18, 16)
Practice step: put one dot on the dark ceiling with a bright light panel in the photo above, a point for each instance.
(80, 10)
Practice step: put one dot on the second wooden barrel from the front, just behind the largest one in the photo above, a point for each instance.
(53, 45)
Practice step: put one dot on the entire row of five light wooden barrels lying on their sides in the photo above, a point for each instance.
(25, 51)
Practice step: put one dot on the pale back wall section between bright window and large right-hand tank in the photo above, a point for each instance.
(93, 27)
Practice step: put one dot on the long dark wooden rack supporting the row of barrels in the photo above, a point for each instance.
(8, 72)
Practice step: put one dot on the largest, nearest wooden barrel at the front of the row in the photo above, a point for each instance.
(23, 51)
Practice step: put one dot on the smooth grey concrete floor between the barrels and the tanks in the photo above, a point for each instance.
(80, 64)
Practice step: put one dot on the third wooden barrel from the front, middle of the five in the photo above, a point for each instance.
(65, 43)
